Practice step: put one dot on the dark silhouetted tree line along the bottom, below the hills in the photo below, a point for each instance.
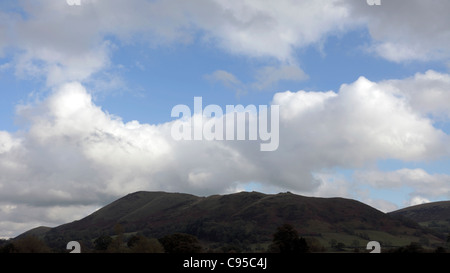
(284, 240)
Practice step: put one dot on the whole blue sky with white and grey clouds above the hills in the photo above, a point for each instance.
(86, 94)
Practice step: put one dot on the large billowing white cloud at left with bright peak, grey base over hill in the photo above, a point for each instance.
(73, 146)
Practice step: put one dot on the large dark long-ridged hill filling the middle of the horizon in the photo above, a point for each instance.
(248, 219)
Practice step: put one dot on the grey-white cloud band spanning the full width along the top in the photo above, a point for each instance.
(73, 43)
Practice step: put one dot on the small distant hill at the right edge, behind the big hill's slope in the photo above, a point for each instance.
(434, 215)
